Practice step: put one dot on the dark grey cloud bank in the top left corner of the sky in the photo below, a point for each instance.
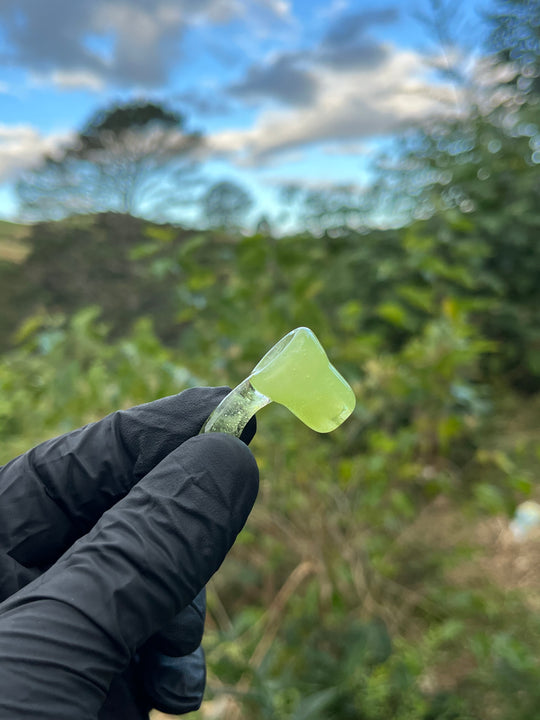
(124, 43)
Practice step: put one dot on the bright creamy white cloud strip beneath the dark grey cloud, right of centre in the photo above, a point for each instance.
(349, 106)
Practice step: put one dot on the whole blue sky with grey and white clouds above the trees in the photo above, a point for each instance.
(300, 91)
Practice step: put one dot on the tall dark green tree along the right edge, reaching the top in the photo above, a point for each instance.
(471, 184)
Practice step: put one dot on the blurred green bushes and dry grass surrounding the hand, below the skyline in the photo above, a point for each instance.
(339, 600)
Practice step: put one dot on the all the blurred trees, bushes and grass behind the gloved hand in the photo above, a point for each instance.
(377, 577)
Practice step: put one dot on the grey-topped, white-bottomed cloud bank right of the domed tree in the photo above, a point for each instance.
(345, 87)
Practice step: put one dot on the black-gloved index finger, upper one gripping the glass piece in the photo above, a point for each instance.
(56, 492)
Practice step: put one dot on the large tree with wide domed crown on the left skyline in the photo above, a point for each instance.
(134, 158)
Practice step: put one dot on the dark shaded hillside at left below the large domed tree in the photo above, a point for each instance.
(60, 267)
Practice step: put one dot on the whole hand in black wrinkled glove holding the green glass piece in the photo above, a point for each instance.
(108, 536)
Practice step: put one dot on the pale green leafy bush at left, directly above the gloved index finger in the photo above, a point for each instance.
(67, 372)
